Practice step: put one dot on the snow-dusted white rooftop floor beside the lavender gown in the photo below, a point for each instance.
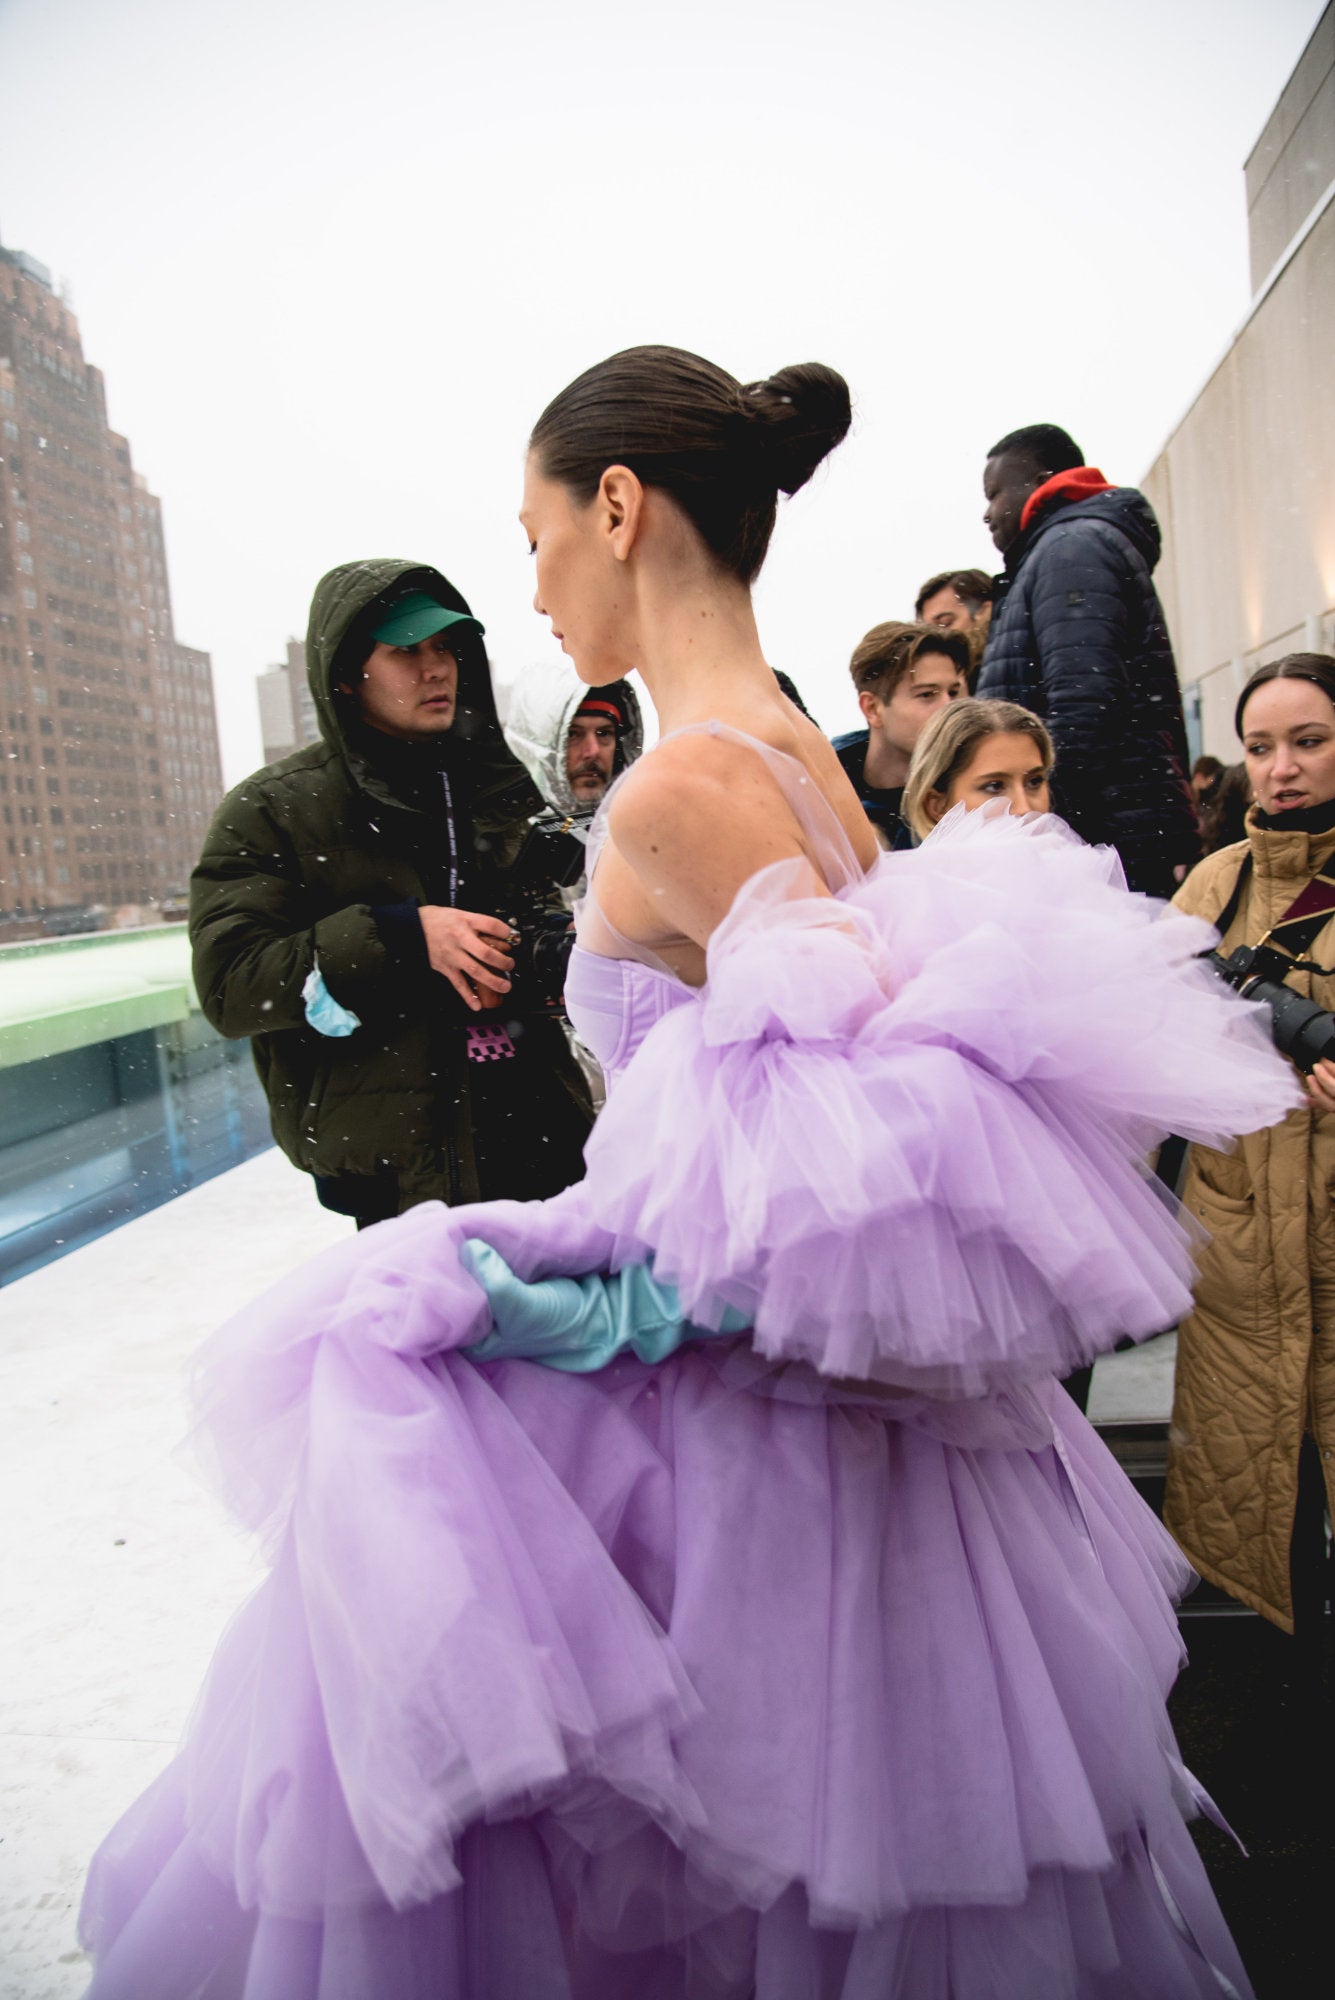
(121, 1567)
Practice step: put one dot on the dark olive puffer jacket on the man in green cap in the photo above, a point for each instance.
(323, 859)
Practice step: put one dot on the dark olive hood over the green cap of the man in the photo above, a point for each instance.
(347, 607)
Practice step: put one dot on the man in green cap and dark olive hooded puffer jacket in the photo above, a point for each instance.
(367, 913)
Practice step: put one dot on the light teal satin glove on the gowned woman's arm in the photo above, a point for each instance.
(581, 1325)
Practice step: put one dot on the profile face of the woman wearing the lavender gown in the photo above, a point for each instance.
(579, 585)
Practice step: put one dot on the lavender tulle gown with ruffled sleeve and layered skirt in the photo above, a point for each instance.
(824, 1663)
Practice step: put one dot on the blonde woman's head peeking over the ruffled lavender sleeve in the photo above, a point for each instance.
(976, 751)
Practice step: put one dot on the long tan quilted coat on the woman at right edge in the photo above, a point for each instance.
(1256, 1359)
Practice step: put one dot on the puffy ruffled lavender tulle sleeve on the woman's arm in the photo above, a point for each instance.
(904, 1131)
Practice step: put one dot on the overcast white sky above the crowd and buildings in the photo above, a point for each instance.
(337, 257)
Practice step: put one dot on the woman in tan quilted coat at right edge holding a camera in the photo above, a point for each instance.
(1252, 1451)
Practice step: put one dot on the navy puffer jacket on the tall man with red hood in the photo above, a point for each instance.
(1078, 637)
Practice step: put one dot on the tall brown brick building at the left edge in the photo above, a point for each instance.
(109, 743)
